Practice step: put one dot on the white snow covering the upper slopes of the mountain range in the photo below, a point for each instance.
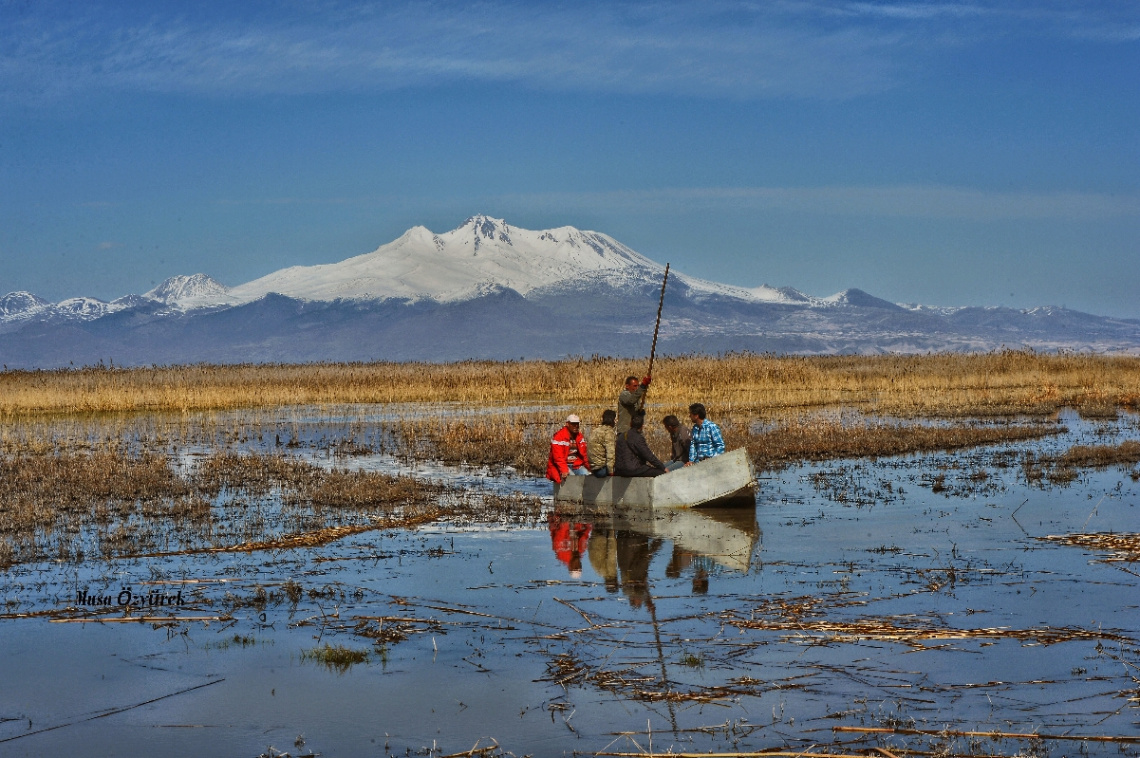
(481, 257)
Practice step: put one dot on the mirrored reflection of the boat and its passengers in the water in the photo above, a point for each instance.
(622, 542)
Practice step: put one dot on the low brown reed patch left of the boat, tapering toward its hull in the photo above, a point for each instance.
(115, 502)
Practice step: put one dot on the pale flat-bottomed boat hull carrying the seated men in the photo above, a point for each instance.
(722, 480)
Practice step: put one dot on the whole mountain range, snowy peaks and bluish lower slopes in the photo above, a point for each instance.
(488, 290)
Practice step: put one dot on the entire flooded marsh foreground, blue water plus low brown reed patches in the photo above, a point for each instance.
(395, 581)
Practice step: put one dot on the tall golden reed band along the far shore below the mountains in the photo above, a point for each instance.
(947, 385)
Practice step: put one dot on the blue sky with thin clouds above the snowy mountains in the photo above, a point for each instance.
(946, 153)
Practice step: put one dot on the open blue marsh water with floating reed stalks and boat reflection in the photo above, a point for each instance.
(916, 596)
